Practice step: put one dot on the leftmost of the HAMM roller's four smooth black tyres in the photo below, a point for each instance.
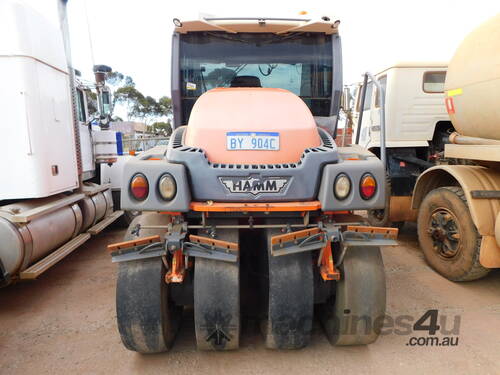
(147, 320)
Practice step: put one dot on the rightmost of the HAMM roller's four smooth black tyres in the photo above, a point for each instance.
(354, 315)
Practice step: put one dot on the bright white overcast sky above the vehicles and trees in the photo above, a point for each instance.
(133, 37)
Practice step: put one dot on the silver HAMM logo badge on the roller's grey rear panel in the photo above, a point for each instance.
(254, 184)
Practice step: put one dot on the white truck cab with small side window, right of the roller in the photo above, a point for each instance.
(414, 105)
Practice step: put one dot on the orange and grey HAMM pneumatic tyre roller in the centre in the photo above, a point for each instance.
(248, 210)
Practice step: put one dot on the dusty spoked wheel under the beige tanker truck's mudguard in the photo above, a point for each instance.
(448, 236)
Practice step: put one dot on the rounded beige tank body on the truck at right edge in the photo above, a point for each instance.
(473, 83)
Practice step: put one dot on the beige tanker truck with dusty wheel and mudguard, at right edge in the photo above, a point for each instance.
(459, 205)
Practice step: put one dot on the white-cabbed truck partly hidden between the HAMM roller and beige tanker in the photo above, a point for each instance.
(417, 128)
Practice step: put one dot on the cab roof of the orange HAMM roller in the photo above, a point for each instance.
(258, 25)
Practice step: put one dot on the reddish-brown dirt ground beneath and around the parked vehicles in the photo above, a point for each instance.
(65, 323)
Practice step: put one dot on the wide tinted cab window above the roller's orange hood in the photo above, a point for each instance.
(301, 63)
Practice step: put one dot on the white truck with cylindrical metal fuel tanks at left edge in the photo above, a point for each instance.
(51, 200)
